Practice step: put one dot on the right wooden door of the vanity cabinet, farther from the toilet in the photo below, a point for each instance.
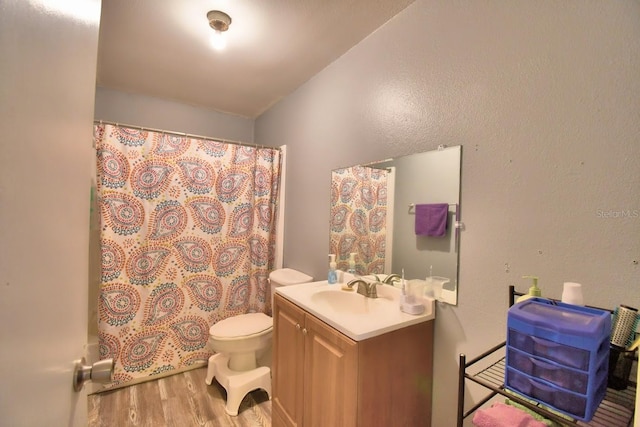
(330, 387)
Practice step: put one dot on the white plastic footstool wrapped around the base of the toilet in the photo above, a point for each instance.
(237, 383)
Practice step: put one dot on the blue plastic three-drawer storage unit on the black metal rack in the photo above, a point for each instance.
(557, 354)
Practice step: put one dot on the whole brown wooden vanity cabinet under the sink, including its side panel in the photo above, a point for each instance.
(322, 378)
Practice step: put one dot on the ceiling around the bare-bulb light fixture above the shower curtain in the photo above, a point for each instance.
(161, 48)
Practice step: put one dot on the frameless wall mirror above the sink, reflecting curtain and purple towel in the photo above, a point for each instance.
(373, 214)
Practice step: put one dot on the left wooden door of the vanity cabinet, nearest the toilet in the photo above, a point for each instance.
(288, 358)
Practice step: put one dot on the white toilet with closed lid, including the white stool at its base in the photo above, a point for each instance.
(238, 339)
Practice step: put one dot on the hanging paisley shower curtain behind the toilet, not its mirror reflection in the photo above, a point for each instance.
(187, 239)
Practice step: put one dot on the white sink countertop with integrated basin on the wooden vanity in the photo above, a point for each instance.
(353, 314)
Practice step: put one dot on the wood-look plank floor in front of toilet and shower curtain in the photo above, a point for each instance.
(182, 400)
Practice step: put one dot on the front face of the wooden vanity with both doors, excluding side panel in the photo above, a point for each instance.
(314, 380)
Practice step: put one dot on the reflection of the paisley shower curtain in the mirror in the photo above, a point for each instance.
(359, 217)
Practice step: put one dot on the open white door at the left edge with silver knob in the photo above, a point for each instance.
(47, 84)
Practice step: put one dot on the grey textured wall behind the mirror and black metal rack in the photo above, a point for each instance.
(544, 96)
